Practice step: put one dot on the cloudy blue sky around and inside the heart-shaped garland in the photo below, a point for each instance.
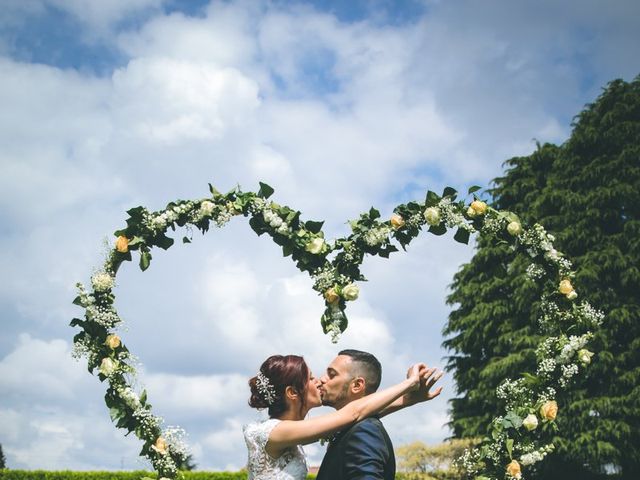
(338, 105)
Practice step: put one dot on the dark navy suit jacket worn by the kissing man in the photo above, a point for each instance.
(363, 452)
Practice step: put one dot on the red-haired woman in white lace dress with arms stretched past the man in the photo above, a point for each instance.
(287, 388)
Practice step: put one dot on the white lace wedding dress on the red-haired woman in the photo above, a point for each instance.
(291, 465)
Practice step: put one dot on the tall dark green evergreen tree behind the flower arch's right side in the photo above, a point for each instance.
(587, 193)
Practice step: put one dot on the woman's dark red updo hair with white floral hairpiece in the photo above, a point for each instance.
(276, 374)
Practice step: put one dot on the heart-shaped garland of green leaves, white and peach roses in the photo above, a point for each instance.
(516, 439)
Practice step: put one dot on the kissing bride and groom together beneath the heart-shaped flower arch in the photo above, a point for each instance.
(360, 447)
